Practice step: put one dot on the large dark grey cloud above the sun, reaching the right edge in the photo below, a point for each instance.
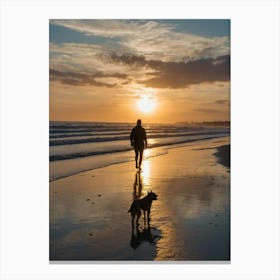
(179, 74)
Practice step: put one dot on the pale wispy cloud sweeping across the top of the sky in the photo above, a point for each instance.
(153, 39)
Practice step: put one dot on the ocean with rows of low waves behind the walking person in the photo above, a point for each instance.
(75, 147)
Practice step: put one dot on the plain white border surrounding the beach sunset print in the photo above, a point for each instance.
(254, 137)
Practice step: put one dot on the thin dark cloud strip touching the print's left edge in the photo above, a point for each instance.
(80, 79)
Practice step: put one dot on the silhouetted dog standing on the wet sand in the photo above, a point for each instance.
(144, 204)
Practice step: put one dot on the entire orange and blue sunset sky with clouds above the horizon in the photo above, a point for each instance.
(157, 70)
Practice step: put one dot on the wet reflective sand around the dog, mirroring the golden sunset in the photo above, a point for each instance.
(190, 221)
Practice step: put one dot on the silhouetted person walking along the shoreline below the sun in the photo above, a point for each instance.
(138, 139)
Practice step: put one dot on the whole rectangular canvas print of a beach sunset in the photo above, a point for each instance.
(139, 140)
